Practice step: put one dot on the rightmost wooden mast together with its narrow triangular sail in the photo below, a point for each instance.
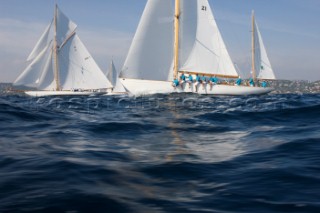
(260, 60)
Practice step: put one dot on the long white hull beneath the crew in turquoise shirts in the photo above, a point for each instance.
(146, 87)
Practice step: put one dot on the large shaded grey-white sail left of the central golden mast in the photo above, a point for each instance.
(151, 53)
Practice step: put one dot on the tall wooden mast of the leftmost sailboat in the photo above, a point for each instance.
(55, 51)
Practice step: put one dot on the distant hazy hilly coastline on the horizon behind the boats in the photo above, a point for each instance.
(281, 87)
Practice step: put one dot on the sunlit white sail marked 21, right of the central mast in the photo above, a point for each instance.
(209, 54)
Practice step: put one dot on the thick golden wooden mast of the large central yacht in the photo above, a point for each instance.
(176, 38)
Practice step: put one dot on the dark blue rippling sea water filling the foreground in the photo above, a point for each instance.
(177, 153)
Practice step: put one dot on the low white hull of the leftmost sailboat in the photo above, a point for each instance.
(60, 93)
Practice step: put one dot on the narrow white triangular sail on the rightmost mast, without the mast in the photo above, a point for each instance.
(262, 62)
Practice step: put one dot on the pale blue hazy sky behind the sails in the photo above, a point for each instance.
(290, 29)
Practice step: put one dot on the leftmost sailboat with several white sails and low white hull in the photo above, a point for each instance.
(60, 64)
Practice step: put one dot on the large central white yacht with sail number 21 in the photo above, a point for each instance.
(175, 38)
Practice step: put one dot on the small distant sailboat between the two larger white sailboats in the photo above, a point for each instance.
(113, 77)
